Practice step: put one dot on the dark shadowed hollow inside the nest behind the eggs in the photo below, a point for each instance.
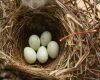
(37, 24)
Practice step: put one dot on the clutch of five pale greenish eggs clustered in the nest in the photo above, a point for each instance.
(41, 48)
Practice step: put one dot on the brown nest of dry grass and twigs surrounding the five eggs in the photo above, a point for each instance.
(78, 38)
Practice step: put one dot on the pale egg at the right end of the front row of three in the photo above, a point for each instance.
(53, 49)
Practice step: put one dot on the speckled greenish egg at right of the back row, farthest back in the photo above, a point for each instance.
(45, 38)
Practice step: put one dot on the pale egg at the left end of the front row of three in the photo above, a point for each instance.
(29, 55)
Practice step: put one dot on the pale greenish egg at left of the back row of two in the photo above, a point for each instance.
(34, 42)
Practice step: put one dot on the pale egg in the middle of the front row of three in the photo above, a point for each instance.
(42, 55)
